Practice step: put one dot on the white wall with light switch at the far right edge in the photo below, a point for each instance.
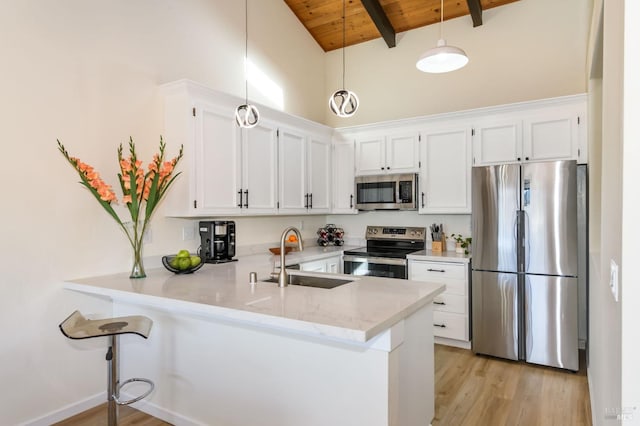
(614, 155)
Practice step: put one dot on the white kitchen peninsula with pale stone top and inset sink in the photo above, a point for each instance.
(223, 351)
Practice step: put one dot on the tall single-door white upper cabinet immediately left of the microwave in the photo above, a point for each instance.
(343, 177)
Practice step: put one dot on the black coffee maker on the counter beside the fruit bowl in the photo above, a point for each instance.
(217, 241)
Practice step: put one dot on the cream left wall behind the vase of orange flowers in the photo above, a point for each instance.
(87, 73)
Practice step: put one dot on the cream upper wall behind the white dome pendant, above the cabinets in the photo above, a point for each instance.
(531, 49)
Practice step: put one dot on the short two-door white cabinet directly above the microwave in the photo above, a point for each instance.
(387, 153)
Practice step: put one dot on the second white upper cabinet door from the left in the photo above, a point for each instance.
(259, 168)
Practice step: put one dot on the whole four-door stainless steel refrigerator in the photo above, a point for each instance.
(525, 263)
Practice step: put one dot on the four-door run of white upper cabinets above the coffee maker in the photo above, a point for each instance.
(280, 166)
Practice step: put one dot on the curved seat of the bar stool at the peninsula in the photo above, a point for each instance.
(76, 326)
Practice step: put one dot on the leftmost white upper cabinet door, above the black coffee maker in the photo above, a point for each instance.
(217, 183)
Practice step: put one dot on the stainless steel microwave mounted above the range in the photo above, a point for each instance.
(387, 192)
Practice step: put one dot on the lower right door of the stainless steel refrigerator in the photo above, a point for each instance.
(551, 321)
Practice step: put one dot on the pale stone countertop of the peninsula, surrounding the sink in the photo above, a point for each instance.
(356, 312)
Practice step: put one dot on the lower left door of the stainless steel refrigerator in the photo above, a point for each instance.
(494, 314)
